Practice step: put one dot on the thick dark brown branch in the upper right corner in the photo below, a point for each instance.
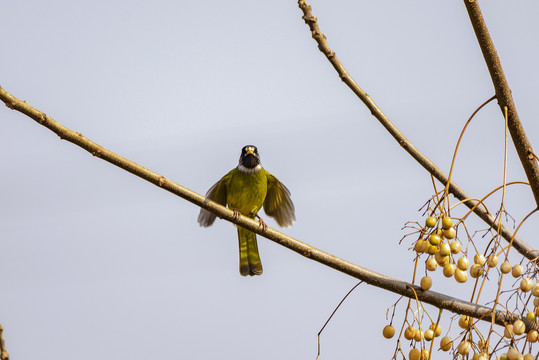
(503, 93)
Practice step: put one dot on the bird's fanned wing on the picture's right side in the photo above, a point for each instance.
(278, 203)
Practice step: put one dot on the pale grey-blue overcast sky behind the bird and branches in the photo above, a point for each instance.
(98, 263)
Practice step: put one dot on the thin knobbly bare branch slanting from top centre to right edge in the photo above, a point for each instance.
(424, 161)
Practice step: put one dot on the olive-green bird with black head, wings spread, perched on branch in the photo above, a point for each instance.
(245, 190)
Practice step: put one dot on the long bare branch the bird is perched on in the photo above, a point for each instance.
(399, 287)
